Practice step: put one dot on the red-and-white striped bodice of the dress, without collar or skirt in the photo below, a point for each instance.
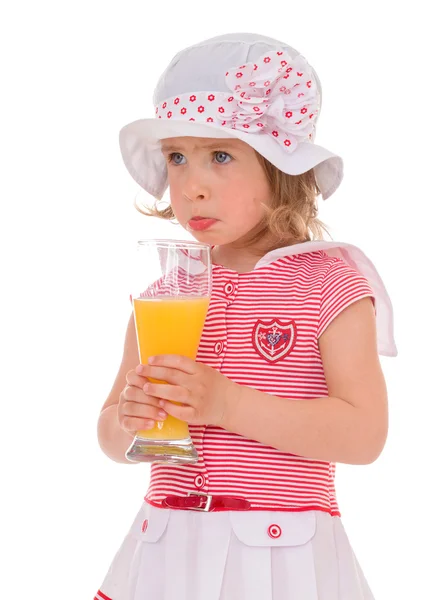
(262, 331)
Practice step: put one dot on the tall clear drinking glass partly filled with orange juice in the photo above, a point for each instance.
(171, 295)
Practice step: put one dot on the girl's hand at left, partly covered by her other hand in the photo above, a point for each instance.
(137, 410)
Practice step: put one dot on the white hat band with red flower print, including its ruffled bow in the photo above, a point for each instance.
(276, 96)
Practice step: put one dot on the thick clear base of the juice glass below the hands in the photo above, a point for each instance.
(162, 451)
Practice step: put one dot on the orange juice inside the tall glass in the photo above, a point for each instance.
(169, 325)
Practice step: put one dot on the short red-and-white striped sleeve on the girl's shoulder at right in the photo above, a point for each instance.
(343, 285)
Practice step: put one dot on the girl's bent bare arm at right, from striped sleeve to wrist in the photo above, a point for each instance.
(348, 426)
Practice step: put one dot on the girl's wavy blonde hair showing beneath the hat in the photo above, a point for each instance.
(291, 218)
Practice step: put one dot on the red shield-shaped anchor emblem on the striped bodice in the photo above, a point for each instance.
(275, 339)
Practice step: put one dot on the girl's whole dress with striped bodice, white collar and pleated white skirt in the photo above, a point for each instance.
(261, 330)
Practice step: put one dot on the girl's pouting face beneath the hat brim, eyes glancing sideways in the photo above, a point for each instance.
(216, 178)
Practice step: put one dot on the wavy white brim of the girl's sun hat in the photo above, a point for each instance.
(140, 144)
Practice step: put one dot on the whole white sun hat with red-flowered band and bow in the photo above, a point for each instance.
(238, 85)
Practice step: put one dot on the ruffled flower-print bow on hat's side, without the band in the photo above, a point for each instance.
(277, 94)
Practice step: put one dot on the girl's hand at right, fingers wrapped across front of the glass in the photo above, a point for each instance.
(204, 392)
